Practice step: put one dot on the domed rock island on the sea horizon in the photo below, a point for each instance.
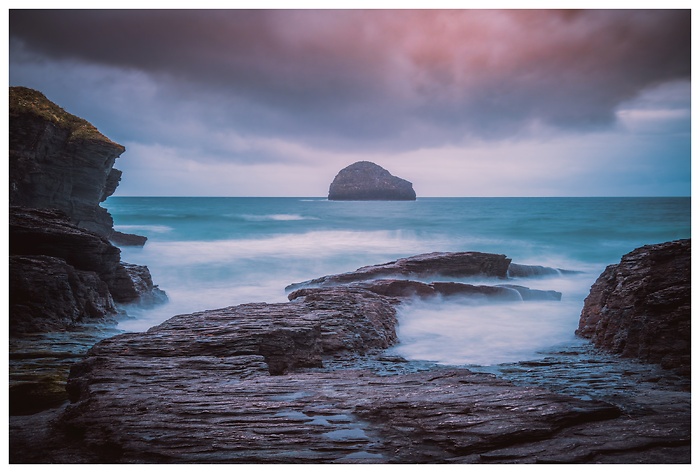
(364, 180)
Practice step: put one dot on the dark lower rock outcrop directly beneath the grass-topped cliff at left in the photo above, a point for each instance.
(62, 274)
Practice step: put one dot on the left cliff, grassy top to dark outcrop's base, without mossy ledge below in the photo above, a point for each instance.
(63, 268)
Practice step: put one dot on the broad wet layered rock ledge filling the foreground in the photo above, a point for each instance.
(263, 383)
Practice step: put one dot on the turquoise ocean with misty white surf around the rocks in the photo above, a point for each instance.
(208, 253)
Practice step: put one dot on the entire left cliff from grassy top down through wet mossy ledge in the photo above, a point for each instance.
(67, 279)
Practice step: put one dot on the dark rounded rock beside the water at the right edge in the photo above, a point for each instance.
(641, 307)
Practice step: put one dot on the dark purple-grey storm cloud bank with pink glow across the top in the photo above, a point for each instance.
(390, 78)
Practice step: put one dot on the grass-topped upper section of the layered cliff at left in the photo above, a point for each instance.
(60, 161)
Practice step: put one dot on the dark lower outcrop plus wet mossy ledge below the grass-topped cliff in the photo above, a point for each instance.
(64, 281)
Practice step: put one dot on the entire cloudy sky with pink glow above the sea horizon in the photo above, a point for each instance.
(461, 103)
